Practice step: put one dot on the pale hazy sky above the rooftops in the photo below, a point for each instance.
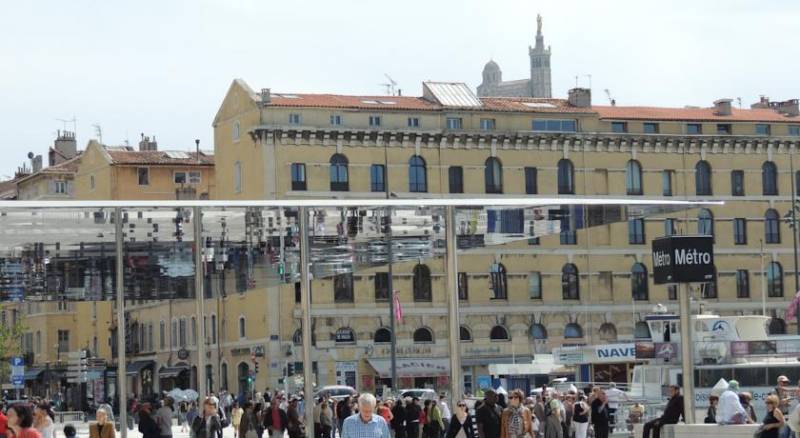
(162, 67)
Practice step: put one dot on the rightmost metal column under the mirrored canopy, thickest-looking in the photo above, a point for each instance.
(453, 319)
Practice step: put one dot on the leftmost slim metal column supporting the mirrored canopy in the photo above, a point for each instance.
(122, 375)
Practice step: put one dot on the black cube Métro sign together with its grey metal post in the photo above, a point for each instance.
(684, 260)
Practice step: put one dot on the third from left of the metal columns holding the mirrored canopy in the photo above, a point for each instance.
(305, 303)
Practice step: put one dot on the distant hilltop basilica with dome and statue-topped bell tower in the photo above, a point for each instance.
(539, 84)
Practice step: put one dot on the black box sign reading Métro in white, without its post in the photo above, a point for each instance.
(683, 259)
